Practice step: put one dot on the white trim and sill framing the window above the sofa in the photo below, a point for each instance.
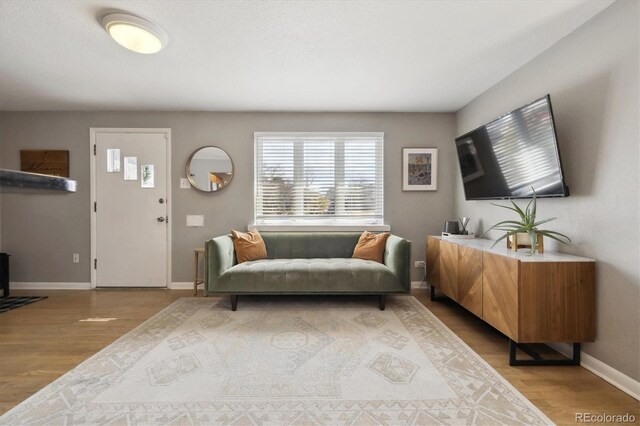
(331, 225)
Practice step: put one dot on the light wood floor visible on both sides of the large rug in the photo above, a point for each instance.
(42, 341)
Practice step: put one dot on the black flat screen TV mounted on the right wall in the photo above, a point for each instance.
(512, 154)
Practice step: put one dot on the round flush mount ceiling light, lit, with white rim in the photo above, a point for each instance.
(135, 33)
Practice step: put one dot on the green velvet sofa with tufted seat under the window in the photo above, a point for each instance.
(307, 263)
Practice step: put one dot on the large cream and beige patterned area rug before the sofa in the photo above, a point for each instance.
(283, 361)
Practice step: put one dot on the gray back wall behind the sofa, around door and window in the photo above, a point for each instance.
(42, 231)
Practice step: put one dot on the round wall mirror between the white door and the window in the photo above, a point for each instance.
(209, 169)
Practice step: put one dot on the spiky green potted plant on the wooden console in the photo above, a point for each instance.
(527, 225)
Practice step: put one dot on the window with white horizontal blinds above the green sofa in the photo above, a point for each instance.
(318, 179)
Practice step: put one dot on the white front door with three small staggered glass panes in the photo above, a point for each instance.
(131, 208)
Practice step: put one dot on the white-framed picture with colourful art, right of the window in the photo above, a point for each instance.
(419, 169)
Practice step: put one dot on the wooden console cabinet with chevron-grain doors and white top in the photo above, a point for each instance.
(543, 298)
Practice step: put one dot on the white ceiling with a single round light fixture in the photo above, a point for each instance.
(275, 55)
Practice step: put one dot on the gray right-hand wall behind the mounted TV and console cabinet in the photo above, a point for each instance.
(592, 76)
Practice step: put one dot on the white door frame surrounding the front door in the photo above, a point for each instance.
(93, 131)
